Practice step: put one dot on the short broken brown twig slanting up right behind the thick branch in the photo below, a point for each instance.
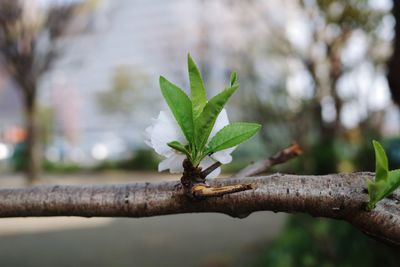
(282, 156)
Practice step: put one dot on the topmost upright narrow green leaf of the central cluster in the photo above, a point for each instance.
(198, 93)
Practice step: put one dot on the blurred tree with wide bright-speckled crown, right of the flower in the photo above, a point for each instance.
(305, 93)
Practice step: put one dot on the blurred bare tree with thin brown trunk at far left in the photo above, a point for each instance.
(28, 48)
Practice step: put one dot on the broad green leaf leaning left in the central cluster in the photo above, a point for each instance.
(180, 105)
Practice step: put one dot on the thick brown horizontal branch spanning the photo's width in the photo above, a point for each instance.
(339, 196)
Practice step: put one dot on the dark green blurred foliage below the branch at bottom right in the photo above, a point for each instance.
(308, 242)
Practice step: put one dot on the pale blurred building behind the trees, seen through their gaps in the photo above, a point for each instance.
(152, 38)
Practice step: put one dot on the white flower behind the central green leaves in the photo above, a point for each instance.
(165, 129)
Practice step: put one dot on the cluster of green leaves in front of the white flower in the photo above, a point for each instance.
(196, 117)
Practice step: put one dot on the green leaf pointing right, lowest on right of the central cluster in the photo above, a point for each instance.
(232, 135)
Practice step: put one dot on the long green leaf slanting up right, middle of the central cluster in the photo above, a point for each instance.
(206, 120)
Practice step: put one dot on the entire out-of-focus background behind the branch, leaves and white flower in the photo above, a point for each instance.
(79, 84)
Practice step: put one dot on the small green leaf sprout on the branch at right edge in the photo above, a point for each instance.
(386, 182)
